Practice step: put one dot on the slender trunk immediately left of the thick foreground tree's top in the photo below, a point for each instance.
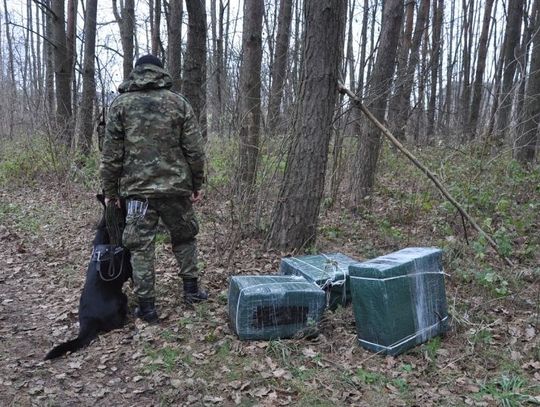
(279, 67)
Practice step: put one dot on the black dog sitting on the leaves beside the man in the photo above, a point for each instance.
(103, 305)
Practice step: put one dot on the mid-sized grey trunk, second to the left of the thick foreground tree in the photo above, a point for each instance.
(250, 91)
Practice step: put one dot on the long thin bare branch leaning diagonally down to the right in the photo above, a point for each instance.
(424, 169)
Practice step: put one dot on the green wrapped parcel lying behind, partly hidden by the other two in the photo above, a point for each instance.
(329, 271)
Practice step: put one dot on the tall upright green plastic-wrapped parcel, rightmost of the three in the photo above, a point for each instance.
(399, 299)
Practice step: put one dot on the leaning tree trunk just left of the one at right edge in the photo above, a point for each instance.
(510, 49)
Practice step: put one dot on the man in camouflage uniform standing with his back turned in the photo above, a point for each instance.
(153, 156)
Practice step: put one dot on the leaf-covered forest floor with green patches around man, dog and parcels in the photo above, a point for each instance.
(490, 356)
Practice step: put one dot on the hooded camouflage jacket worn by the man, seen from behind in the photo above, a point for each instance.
(152, 146)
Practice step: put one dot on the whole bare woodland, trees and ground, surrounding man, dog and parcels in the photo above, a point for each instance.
(298, 101)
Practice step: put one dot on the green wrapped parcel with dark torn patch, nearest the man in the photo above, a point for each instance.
(272, 307)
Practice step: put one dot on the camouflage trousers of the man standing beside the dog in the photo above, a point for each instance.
(140, 232)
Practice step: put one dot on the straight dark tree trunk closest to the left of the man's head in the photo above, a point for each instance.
(89, 84)
